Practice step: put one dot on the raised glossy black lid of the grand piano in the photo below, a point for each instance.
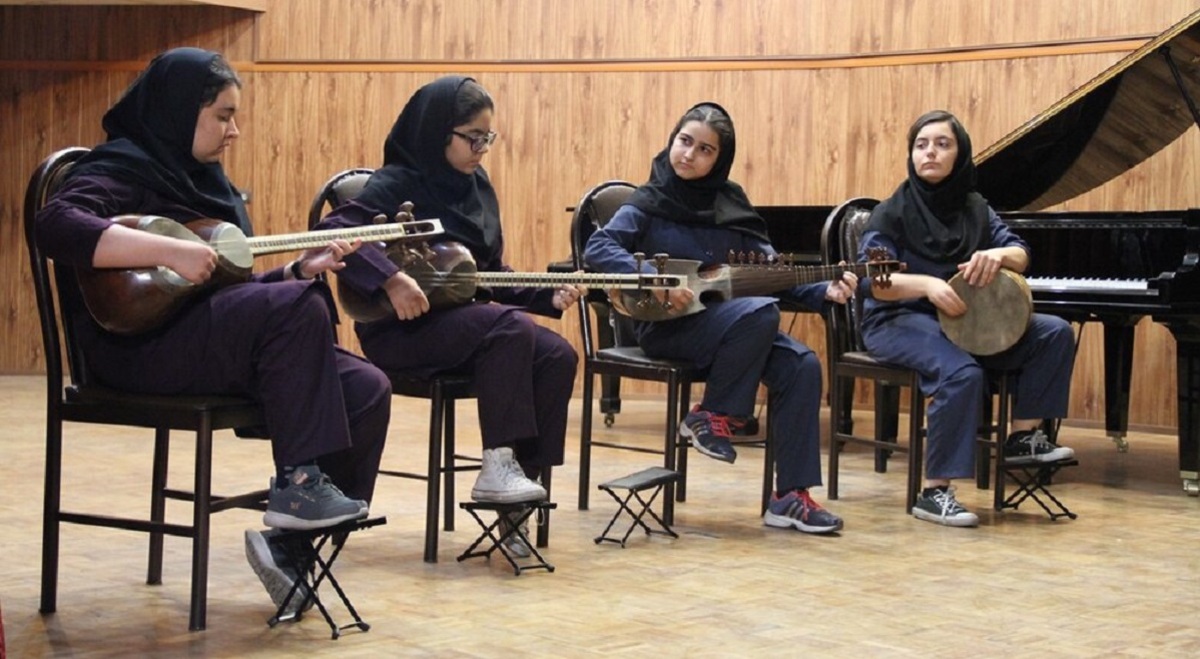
(1100, 131)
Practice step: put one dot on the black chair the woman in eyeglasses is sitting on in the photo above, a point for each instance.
(443, 392)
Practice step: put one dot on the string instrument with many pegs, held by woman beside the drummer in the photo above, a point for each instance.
(745, 275)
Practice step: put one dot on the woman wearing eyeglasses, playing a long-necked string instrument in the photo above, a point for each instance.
(524, 373)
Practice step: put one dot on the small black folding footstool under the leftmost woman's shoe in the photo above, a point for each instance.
(304, 555)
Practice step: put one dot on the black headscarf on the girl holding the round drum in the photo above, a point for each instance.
(945, 223)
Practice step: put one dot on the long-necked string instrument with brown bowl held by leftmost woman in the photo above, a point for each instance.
(140, 299)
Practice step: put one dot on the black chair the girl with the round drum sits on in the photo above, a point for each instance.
(849, 362)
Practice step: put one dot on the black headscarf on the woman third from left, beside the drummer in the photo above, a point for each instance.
(712, 200)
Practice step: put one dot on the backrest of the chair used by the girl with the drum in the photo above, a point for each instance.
(839, 243)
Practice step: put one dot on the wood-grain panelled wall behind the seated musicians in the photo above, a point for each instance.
(821, 92)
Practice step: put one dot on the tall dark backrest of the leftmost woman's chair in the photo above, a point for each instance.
(52, 309)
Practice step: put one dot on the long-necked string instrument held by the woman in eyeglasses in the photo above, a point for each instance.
(448, 277)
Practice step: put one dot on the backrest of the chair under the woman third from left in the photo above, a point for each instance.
(593, 212)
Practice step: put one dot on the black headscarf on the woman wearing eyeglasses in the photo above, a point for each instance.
(416, 170)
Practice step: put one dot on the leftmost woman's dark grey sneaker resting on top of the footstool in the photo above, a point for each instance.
(310, 501)
